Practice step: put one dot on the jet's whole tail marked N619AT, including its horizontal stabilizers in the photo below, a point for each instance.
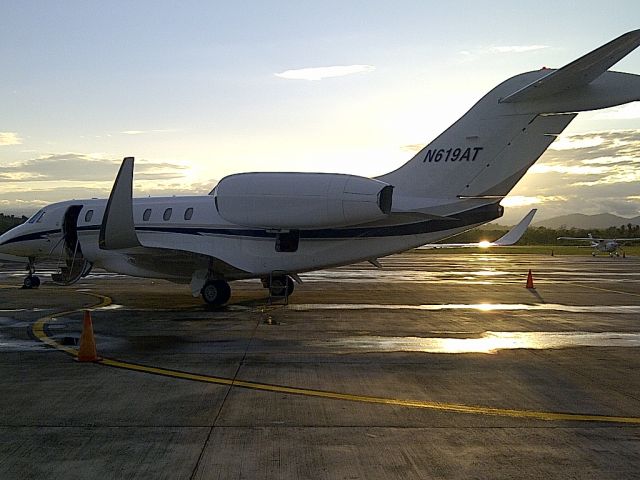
(486, 152)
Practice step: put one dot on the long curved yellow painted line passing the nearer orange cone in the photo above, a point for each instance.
(39, 332)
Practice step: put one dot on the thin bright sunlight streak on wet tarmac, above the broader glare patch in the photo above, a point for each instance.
(483, 307)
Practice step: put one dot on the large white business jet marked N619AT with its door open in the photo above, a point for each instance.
(274, 226)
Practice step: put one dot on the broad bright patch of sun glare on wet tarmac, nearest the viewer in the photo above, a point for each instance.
(489, 342)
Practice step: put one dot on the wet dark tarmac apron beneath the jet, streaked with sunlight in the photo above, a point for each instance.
(436, 366)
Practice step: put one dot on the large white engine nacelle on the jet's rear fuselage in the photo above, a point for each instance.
(301, 200)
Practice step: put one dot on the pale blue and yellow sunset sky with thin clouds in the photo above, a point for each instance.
(197, 90)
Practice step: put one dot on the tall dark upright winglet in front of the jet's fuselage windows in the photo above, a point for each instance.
(118, 230)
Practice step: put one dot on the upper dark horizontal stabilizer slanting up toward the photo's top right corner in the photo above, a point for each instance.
(580, 72)
